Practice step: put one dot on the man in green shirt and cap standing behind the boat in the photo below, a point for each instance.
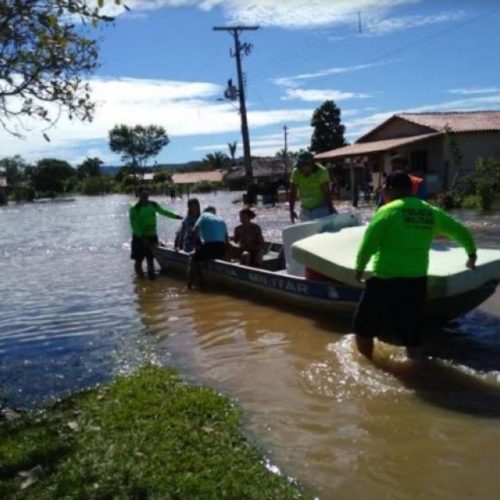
(312, 182)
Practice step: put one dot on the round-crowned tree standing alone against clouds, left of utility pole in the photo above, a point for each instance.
(138, 144)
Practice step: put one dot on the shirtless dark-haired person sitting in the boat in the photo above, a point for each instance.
(248, 242)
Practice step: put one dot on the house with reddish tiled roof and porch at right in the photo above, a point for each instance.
(440, 146)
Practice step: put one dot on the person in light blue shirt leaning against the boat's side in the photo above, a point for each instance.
(212, 232)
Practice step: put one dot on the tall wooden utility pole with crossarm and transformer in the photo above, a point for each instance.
(246, 48)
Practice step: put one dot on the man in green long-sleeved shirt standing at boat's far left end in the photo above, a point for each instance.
(142, 218)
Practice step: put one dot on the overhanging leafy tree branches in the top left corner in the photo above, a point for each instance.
(46, 47)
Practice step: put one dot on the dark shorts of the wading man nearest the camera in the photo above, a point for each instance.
(392, 309)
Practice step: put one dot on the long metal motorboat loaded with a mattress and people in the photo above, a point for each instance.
(281, 282)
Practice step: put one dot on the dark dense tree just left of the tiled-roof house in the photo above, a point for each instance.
(328, 129)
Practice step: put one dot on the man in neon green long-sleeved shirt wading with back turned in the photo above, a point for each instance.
(398, 239)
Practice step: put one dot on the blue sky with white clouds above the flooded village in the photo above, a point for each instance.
(161, 63)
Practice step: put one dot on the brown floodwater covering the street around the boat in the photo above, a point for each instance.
(73, 314)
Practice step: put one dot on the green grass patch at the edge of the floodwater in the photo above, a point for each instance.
(148, 435)
